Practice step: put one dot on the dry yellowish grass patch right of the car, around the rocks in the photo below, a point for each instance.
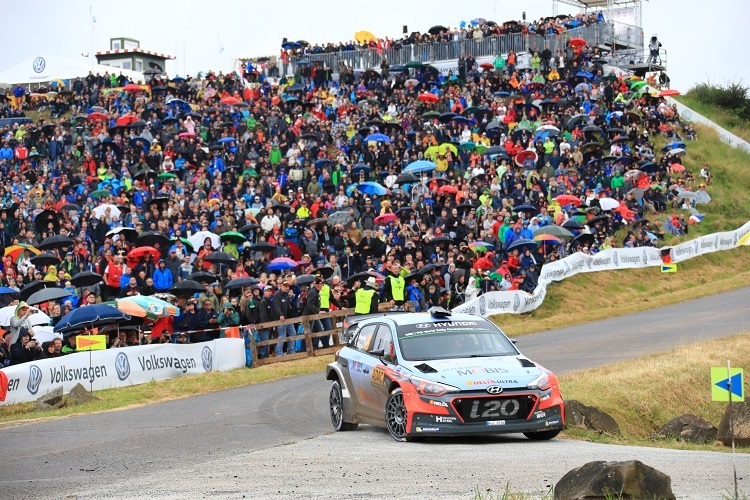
(645, 393)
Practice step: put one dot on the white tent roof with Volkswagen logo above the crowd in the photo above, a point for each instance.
(48, 68)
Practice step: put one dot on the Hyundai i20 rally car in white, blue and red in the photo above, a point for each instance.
(440, 374)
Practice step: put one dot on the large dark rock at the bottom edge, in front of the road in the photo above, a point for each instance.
(630, 479)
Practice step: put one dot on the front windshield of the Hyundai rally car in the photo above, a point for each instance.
(453, 339)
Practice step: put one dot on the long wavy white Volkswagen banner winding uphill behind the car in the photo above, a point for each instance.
(517, 301)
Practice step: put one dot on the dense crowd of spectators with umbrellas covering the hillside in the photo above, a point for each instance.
(312, 170)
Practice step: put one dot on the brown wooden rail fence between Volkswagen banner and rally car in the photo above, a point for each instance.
(305, 337)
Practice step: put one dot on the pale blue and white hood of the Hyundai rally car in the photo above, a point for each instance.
(470, 374)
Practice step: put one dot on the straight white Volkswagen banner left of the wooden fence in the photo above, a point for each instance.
(121, 367)
